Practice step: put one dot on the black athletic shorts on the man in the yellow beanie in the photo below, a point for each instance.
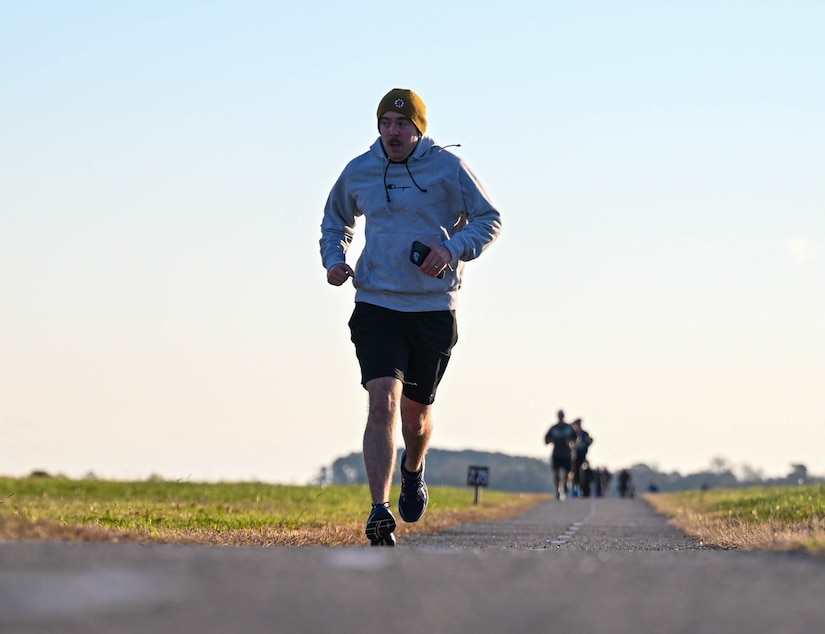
(412, 347)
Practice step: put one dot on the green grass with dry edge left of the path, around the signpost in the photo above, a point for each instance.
(45, 507)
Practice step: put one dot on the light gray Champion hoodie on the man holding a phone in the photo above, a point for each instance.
(433, 197)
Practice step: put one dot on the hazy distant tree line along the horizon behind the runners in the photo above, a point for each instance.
(532, 475)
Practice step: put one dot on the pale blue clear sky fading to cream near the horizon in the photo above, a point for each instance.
(661, 274)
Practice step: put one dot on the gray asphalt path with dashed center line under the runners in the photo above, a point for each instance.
(576, 566)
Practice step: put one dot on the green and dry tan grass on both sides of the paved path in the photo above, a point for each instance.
(248, 513)
